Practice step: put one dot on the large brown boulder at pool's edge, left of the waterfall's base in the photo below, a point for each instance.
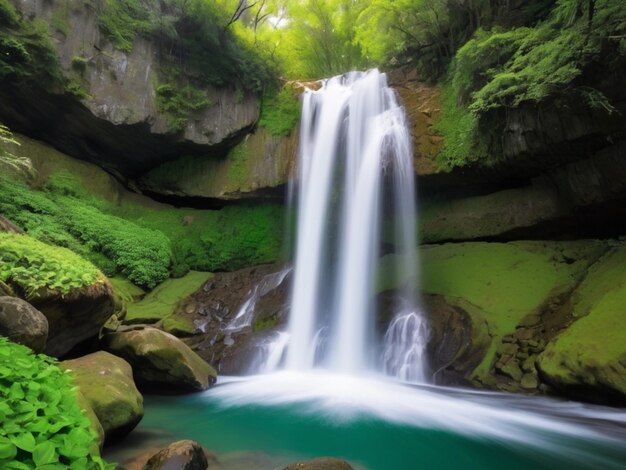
(161, 360)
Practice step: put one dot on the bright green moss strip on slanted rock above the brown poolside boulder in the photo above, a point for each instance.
(162, 301)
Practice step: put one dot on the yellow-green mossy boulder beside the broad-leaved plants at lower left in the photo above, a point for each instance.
(106, 381)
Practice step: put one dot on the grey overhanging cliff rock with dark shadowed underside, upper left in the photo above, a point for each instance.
(116, 123)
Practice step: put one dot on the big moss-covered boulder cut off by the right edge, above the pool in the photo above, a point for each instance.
(588, 359)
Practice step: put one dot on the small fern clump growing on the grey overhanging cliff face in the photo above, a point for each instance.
(179, 102)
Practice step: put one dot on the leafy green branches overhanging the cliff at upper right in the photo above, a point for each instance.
(504, 68)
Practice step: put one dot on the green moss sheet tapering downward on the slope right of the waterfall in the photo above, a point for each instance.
(504, 282)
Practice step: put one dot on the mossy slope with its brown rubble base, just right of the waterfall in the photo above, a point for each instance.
(507, 295)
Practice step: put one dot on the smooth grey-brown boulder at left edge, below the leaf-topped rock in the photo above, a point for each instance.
(23, 323)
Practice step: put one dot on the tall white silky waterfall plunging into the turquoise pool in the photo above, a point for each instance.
(355, 158)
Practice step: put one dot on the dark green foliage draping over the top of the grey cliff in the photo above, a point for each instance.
(194, 35)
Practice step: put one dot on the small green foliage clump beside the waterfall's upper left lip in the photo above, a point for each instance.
(280, 112)
